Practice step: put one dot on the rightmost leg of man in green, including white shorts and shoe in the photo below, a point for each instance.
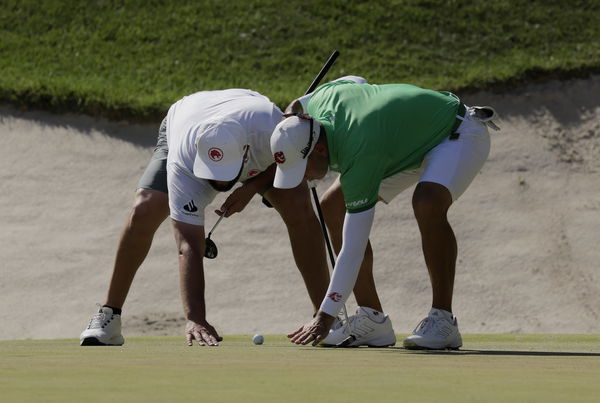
(449, 168)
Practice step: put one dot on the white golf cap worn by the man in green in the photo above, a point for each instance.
(291, 144)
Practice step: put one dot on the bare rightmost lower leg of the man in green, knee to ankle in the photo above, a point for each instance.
(431, 202)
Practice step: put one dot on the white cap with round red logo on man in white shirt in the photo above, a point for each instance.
(219, 150)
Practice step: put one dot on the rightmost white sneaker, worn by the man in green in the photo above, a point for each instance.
(438, 331)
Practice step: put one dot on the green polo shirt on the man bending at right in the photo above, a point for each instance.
(376, 131)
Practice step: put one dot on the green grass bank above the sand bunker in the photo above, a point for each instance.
(133, 58)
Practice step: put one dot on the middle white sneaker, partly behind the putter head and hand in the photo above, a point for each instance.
(364, 328)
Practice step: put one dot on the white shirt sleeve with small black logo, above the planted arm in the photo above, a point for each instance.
(188, 195)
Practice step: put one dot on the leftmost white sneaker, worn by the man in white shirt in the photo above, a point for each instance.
(104, 329)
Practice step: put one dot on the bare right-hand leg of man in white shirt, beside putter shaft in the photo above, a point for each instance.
(306, 238)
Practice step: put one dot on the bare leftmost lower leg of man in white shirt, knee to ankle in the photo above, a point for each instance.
(150, 209)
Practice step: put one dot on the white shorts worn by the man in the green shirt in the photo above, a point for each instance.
(452, 163)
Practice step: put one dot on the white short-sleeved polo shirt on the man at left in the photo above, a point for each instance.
(188, 194)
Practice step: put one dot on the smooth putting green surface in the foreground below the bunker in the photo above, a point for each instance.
(490, 368)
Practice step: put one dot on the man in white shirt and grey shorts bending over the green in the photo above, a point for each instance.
(214, 139)
